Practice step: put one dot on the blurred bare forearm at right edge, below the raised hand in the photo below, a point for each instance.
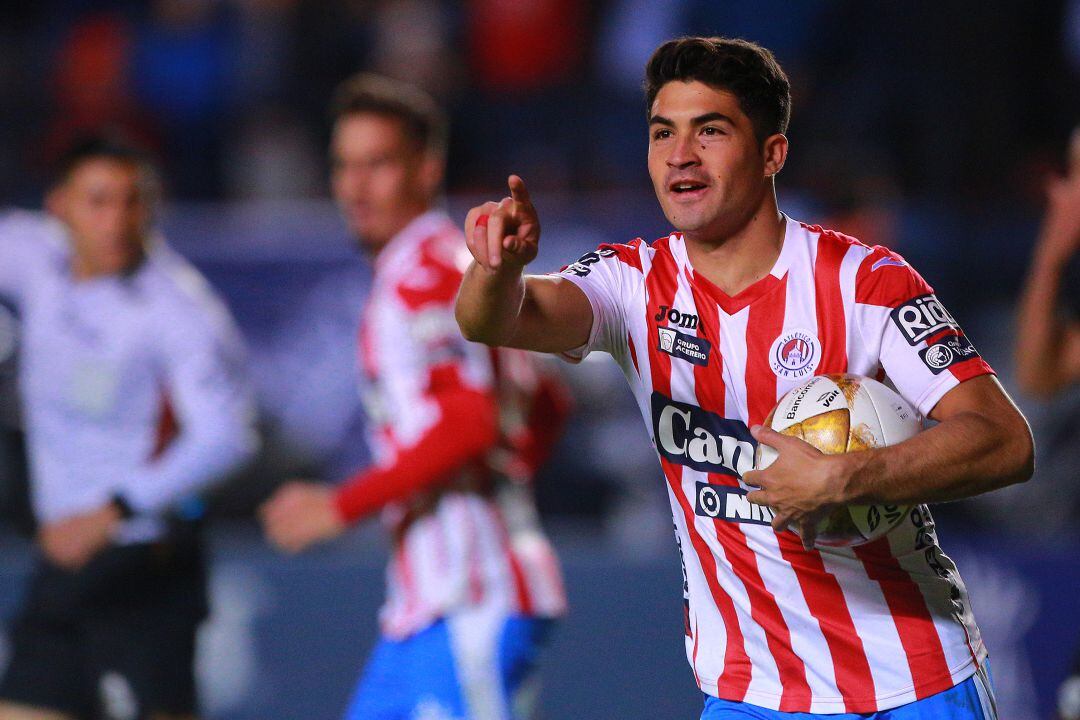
(1038, 351)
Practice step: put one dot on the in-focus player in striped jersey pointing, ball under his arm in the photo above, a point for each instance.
(757, 303)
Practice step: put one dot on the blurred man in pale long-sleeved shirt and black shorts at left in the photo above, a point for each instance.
(133, 389)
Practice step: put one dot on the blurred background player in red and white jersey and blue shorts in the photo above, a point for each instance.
(457, 431)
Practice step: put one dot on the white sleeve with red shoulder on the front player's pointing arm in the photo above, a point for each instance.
(605, 276)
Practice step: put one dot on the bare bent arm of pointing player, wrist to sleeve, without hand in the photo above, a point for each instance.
(544, 314)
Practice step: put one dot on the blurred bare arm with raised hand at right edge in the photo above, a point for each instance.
(1048, 347)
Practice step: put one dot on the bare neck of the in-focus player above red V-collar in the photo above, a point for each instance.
(736, 260)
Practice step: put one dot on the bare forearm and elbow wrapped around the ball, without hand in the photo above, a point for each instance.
(981, 443)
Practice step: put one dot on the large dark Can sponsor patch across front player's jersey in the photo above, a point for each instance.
(687, 436)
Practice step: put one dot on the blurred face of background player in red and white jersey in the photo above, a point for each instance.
(382, 180)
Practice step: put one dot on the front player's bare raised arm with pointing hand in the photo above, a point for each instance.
(499, 306)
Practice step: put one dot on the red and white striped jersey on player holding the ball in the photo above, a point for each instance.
(829, 631)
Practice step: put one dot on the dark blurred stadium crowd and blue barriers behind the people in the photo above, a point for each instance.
(925, 127)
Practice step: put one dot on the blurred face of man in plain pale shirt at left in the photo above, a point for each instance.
(106, 207)
